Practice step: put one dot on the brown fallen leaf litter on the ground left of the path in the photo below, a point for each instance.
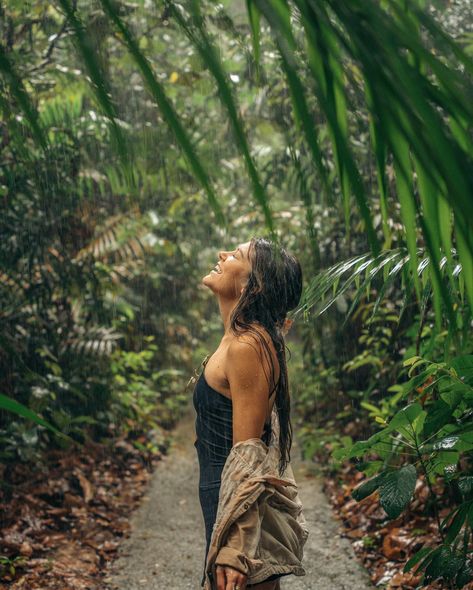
(61, 524)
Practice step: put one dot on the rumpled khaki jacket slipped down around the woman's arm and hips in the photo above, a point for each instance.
(260, 528)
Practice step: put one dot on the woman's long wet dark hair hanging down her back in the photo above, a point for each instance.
(274, 288)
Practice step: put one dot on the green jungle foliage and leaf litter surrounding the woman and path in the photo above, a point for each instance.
(138, 139)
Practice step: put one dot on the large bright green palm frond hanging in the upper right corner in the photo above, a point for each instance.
(419, 105)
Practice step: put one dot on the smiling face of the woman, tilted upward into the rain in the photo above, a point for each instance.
(230, 275)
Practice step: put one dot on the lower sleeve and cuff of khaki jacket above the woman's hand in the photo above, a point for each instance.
(241, 543)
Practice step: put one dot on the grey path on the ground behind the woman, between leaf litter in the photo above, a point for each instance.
(166, 546)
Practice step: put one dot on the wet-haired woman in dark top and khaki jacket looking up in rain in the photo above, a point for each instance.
(256, 285)
